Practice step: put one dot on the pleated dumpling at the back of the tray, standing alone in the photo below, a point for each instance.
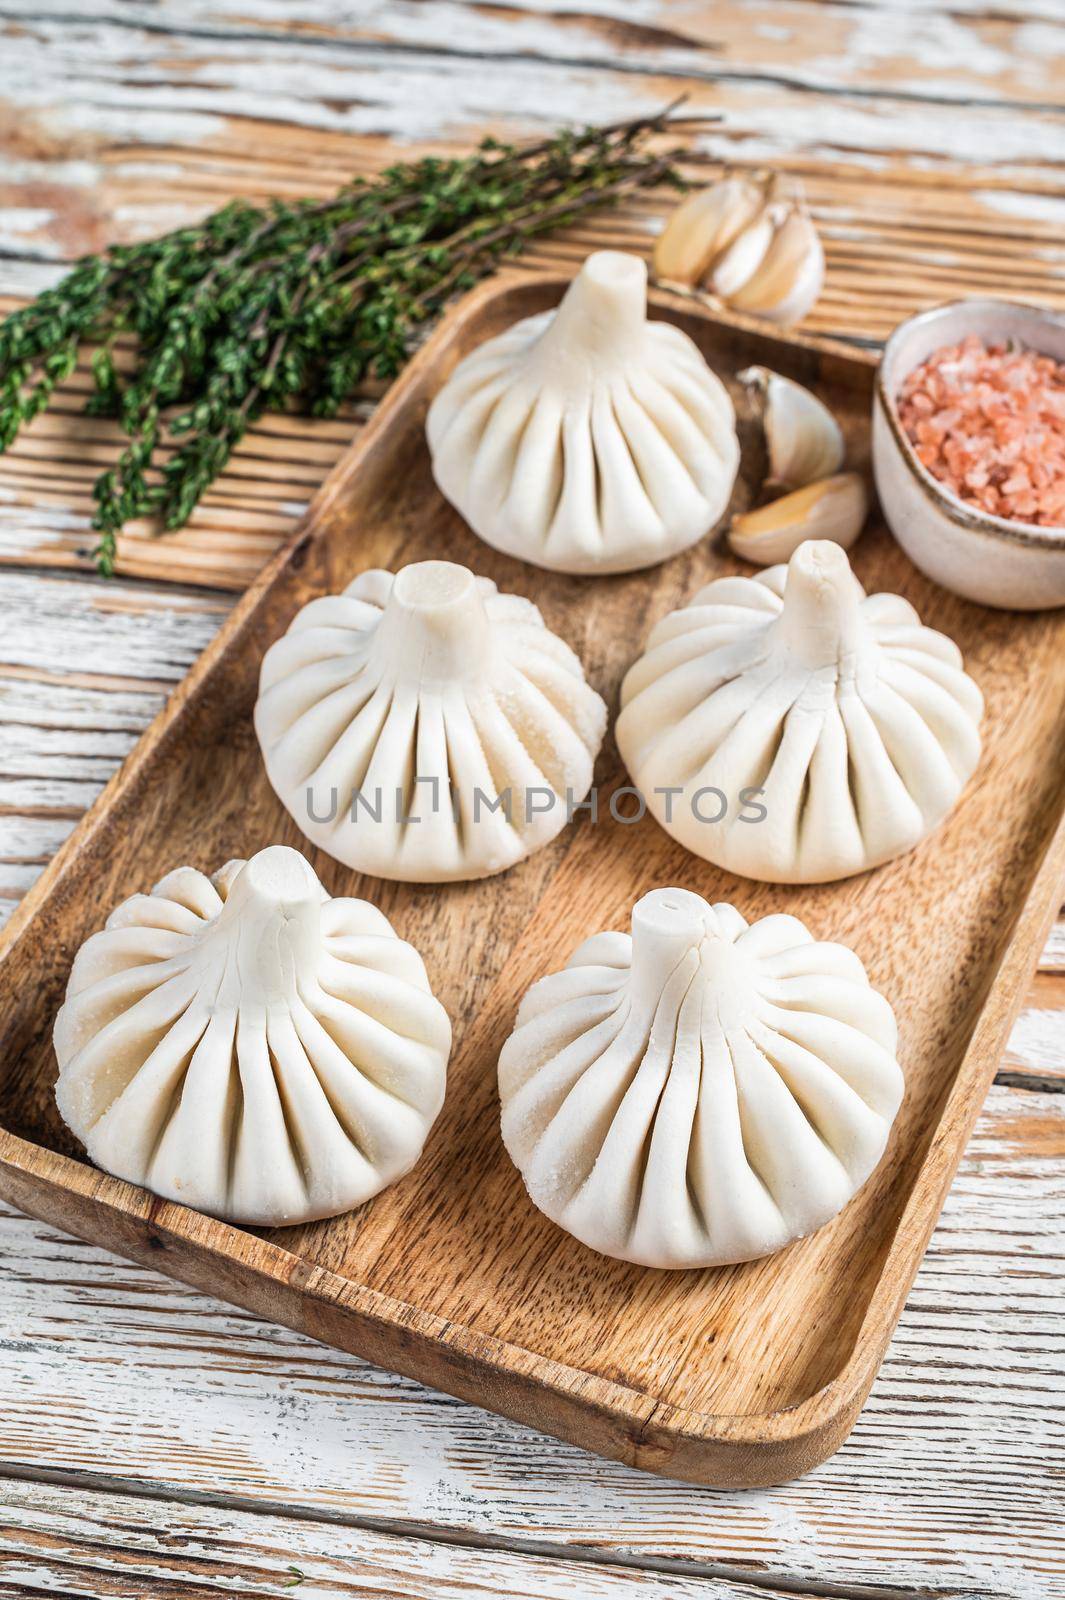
(588, 439)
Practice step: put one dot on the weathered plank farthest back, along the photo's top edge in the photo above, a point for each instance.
(941, 55)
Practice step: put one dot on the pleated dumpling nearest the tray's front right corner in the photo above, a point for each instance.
(703, 1092)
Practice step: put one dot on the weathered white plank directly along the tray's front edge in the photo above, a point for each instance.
(949, 1481)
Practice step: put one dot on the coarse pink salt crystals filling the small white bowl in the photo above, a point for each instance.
(991, 426)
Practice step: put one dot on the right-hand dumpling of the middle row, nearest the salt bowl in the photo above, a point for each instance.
(856, 726)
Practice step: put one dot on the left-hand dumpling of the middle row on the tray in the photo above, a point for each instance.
(426, 727)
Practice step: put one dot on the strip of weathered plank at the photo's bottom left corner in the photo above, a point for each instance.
(103, 1545)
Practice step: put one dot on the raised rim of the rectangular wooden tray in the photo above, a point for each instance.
(804, 1434)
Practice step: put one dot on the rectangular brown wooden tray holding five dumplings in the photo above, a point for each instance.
(738, 1377)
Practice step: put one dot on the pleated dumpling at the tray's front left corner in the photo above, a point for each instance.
(252, 1047)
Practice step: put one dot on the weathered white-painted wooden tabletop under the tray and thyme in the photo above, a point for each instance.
(158, 1442)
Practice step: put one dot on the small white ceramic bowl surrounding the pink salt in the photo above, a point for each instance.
(1005, 564)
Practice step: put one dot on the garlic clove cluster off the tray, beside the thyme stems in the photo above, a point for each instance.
(760, 257)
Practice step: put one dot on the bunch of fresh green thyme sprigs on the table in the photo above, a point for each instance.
(263, 308)
